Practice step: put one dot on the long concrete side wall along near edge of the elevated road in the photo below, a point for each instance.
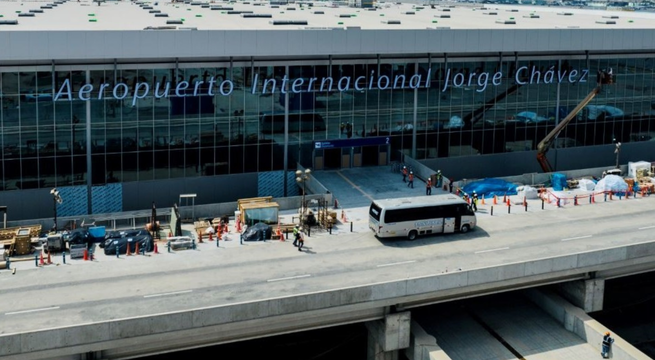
(421, 289)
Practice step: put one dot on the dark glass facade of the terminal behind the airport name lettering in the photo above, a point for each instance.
(156, 121)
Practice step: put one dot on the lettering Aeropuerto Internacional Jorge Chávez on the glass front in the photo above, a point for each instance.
(213, 86)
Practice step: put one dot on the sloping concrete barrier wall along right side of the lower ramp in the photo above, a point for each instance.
(578, 322)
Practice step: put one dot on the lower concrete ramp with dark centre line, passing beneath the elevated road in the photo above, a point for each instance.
(501, 327)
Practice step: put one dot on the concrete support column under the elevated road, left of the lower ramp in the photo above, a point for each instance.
(386, 337)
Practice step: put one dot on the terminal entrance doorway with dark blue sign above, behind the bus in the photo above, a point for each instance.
(350, 153)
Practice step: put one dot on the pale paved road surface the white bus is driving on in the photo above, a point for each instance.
(110, 288)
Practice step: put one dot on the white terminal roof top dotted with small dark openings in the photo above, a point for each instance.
(71, 15)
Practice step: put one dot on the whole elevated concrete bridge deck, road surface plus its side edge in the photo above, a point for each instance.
(216, 295)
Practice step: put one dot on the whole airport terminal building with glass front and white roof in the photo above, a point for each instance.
(119, 103)
